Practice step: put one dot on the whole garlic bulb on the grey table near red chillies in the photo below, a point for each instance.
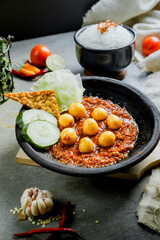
(35, 201)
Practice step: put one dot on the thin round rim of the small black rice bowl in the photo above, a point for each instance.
(105, 50)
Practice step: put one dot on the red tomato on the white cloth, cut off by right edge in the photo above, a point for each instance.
(150, 44)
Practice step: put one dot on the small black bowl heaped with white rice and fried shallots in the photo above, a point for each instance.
(105, 49)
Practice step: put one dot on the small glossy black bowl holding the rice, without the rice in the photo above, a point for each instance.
(105, 62)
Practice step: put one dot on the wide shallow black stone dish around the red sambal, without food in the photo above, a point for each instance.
(138, 105)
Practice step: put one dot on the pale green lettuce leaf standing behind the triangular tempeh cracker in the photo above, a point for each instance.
(68, 87)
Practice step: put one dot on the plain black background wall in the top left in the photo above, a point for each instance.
(34, 18)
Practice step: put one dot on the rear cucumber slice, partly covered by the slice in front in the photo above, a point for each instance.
(34, 114)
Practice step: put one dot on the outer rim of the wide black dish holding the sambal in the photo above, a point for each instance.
(56, 166)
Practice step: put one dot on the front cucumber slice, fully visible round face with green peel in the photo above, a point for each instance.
(41, 133)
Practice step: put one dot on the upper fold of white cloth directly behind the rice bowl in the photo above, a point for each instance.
(118, 11)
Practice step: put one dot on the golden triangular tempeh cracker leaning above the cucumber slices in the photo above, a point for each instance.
(44, 100)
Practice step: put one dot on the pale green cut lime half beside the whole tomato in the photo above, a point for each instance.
(55, 62)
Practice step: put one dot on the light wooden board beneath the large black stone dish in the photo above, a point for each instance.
(133, 173)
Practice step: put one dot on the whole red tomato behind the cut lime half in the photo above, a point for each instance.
(39, 55)
